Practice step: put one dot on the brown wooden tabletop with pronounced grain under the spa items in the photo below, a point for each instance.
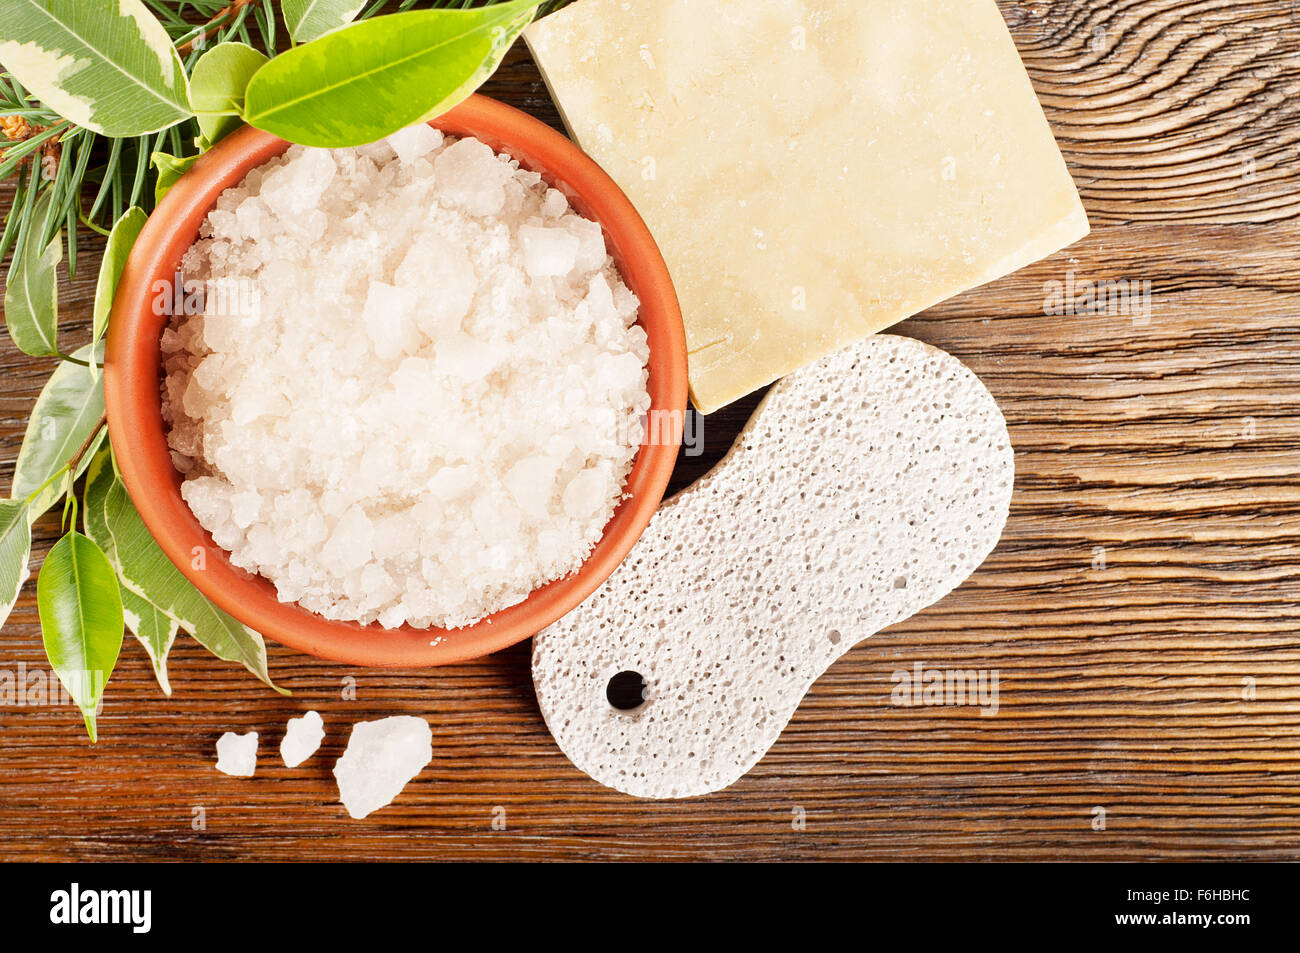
(1143, 609)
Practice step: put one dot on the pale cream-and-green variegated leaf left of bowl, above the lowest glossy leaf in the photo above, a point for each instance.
(67, 413)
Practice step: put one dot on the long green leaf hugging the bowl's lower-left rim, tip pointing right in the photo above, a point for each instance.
(145, 570)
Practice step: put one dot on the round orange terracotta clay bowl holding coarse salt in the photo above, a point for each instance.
(133, 367)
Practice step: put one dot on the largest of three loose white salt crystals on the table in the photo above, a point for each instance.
(382, 759)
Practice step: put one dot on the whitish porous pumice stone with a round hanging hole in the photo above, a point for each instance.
(866, 488)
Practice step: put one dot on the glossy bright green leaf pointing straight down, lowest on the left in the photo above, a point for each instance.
(81, 620)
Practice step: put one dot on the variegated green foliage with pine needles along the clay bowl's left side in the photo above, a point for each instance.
(159, 83)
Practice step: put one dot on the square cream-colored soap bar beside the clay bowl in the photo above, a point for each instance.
(814, 171)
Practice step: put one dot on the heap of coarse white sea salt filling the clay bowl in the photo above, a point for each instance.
(427, 401)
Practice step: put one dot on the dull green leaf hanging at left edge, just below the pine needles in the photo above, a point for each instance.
(32, 291)
